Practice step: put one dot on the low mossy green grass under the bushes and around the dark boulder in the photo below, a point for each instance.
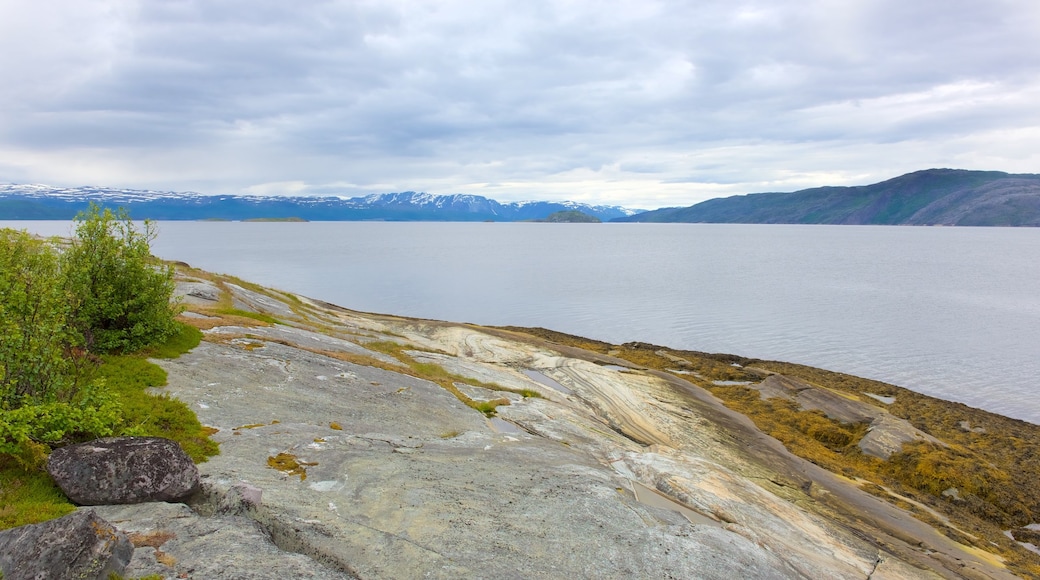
(30, 497)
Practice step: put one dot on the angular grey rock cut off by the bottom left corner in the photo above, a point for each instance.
(81, 545)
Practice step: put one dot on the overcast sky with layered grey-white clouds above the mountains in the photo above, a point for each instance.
(643, 104)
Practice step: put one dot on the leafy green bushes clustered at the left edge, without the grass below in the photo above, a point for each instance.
(102, 293)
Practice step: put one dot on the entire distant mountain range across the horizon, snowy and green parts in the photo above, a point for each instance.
(927, 198)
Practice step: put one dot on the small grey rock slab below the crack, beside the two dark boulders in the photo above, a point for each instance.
(175, 542)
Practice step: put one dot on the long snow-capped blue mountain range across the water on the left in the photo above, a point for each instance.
(42, 202)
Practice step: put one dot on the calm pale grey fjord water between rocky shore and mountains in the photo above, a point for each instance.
(950, 312)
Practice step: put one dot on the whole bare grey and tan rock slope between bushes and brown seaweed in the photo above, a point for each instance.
(344, 458)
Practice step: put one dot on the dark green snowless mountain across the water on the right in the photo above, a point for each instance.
(926, 198)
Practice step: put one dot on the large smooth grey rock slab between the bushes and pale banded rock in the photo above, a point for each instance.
(417, 485)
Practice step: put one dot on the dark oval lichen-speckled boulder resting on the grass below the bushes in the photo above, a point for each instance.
(124, 470)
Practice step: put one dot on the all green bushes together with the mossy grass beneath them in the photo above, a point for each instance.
(77, 321)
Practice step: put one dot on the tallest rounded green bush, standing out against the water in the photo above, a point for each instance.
(120, 293)
